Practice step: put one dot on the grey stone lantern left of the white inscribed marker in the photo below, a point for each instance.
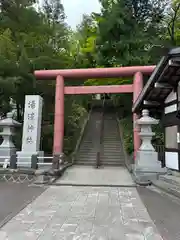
(7, 147)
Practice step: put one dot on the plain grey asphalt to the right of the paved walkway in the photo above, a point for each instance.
(164, 211)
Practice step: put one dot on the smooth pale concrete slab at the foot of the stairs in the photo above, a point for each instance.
(107, 176)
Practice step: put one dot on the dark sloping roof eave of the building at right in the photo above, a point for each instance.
(162, 81)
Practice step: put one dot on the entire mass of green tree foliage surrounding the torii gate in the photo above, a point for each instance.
(124, 33)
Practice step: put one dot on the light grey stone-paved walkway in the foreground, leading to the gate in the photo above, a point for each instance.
(83, 213)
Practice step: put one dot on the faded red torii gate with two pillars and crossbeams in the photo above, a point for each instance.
(137, 72)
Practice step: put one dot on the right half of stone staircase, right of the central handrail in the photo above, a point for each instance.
(112, 152)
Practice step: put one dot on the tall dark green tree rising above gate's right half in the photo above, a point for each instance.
(127, 30)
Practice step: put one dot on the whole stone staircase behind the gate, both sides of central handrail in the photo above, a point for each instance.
(111, 153)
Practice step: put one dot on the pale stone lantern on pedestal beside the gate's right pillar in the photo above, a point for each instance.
(147, 167)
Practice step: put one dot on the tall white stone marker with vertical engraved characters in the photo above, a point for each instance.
(31, 130)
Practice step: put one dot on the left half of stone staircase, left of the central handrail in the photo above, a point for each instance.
(88, 148)
